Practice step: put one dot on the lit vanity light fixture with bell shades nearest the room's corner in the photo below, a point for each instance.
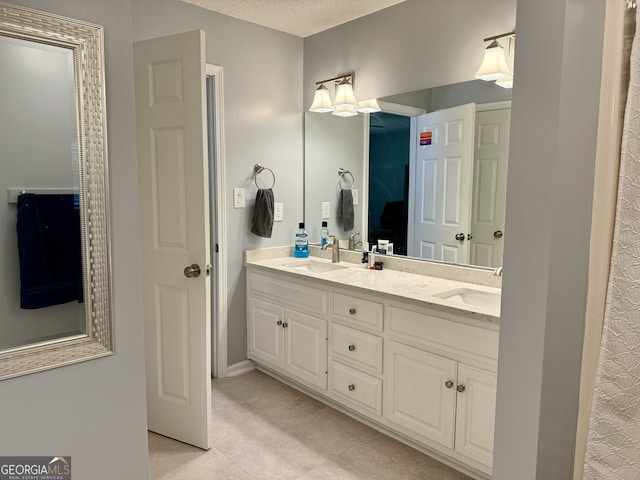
(345, 103)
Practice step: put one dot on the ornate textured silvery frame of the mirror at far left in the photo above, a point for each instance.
(87, 44)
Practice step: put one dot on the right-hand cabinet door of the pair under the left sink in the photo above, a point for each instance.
(306, 347)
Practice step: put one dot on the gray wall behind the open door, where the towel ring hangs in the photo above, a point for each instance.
(263, 123)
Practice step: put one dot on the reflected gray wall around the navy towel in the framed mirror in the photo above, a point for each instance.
(38, 152)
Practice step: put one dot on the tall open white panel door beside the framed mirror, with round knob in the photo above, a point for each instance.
(174, 206)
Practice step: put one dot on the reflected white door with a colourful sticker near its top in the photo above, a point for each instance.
(441, 185)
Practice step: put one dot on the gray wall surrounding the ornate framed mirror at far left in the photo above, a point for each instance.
(95, 411)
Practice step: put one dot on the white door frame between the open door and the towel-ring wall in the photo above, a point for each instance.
(219, 367)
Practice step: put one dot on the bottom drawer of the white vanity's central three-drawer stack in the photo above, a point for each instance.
(356, 388)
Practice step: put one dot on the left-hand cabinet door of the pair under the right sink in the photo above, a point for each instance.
(420, 394)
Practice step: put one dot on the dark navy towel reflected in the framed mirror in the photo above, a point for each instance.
(49, 250)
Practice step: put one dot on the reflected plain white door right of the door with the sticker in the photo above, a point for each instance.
(490, 186)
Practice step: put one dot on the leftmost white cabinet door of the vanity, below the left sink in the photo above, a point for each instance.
(265, 335)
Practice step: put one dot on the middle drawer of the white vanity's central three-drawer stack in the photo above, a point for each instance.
(363, 349)
